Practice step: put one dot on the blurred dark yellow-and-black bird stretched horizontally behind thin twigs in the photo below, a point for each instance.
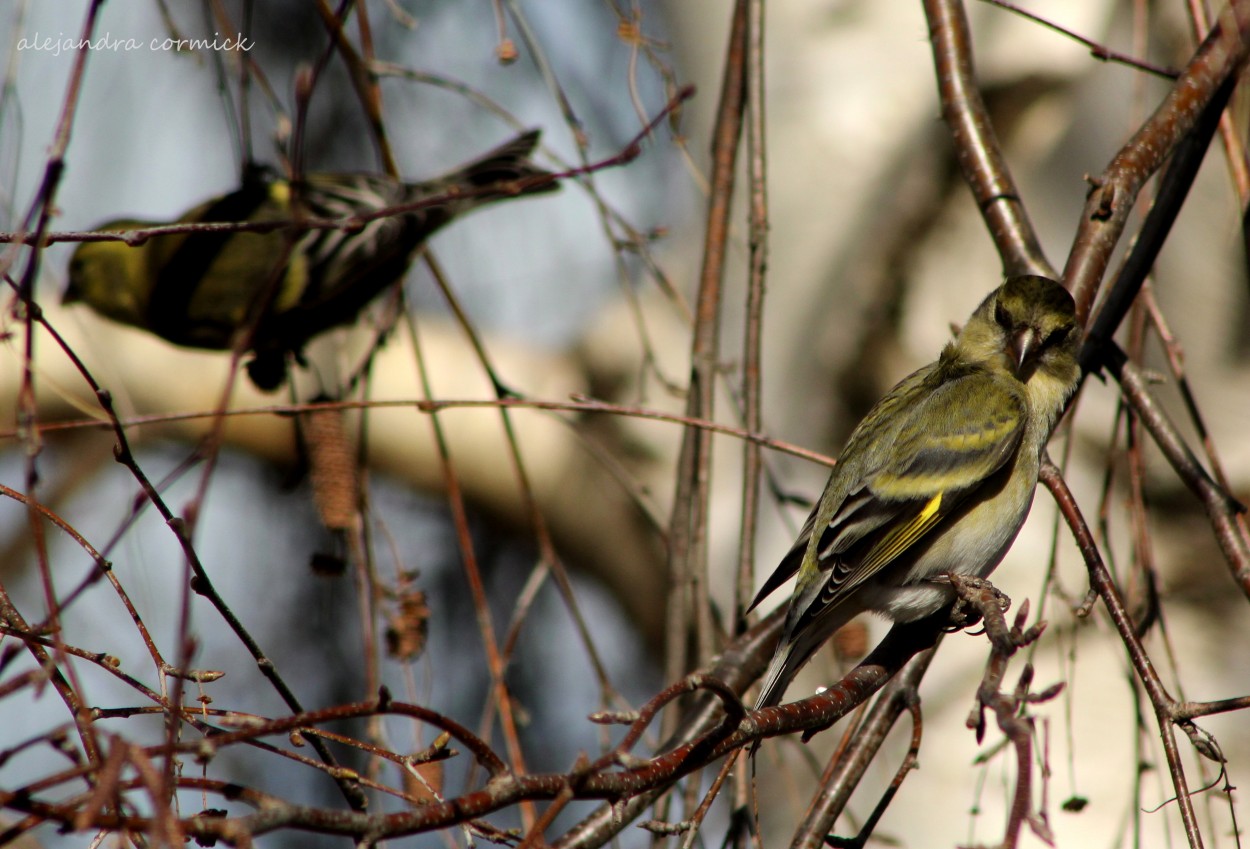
(286, 286)
